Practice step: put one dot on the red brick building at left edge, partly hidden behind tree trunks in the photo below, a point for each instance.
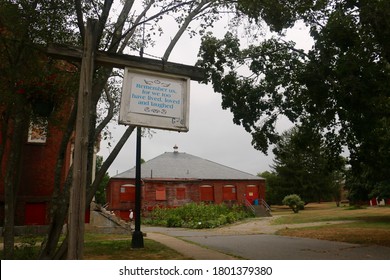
(39, 157)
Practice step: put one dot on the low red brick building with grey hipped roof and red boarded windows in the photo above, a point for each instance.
(175, 178)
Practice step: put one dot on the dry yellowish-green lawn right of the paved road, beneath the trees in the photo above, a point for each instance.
(367, 225)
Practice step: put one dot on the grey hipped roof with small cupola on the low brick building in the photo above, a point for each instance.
(177, 165)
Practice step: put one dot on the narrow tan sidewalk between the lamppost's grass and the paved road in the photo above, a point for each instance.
(187, 249)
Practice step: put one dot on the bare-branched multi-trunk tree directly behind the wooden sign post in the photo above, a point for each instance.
(125, 33)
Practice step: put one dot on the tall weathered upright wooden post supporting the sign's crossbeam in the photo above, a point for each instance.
(78, 189)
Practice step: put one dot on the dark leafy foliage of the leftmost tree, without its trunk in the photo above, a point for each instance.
(28, 75)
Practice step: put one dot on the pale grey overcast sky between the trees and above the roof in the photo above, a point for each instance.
(212, 134)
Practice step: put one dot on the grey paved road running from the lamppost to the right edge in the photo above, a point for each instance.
(256, 246)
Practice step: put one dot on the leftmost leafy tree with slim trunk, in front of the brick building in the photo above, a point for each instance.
(27, 77)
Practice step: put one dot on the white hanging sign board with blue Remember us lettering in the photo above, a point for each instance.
(155, 100)
